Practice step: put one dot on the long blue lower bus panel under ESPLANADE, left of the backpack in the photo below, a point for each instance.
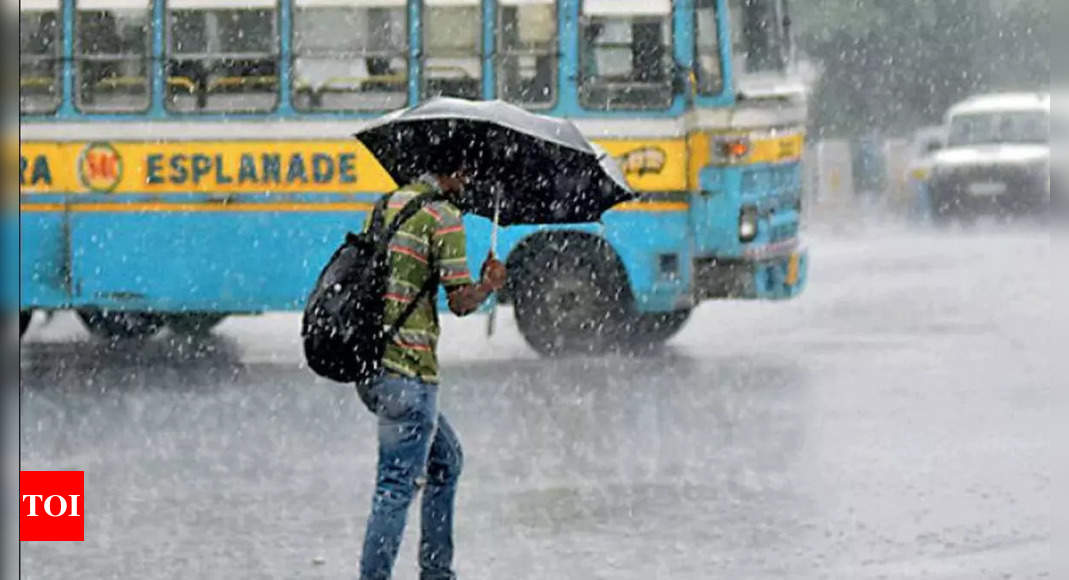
(204, 261)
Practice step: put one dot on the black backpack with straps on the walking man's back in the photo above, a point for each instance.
(343, 326)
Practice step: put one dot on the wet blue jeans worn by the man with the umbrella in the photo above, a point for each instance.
(416, 448)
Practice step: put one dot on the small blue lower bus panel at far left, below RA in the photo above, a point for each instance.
(44, 260)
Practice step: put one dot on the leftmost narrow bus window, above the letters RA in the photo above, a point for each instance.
(39, 64)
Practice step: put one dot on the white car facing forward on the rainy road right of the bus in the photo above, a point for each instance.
(997, 160)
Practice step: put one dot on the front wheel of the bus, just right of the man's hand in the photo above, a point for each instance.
(570, 296)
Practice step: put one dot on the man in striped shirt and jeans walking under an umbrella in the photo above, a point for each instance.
(417, 447)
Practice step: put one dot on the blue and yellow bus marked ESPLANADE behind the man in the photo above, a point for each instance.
(184, 161)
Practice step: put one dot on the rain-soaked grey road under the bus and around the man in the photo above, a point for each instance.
(892, 424)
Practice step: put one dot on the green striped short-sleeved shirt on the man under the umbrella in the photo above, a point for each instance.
(433, 239)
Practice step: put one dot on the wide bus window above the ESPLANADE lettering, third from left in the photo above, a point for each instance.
(223, 56)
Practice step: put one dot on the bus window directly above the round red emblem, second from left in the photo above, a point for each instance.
(112, 52)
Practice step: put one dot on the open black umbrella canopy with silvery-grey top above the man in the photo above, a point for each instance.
(533, 169)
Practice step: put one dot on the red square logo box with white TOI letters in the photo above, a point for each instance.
(52, 507)
